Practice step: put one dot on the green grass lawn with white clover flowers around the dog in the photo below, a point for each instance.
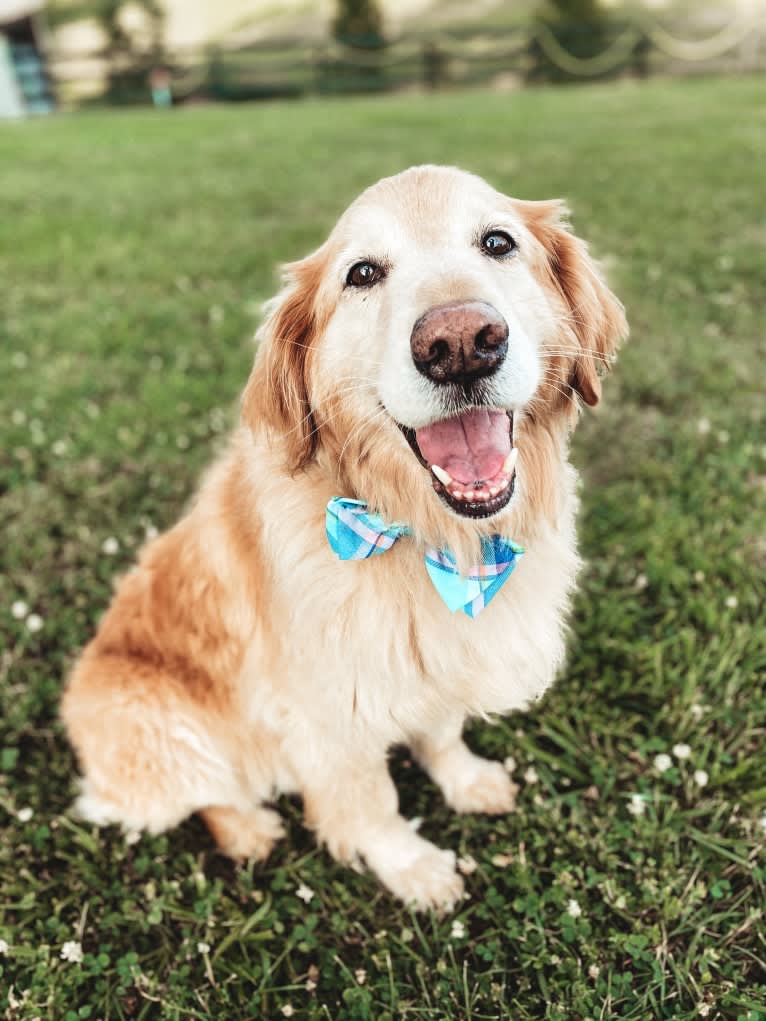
(134, 251)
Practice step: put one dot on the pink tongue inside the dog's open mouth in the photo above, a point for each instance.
(472, 447)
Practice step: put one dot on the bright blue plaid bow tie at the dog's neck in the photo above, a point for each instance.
(356, 534)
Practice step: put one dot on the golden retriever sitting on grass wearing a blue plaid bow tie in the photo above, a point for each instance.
(420, 374)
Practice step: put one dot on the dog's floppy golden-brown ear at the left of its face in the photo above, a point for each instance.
(278, 393)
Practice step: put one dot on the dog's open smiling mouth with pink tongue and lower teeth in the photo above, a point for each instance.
(471, 458)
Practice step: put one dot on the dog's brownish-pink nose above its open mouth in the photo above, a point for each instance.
(459, 343)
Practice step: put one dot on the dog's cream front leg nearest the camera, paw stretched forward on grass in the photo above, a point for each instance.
(354, 808)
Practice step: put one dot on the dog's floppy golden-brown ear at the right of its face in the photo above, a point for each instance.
(597, 318)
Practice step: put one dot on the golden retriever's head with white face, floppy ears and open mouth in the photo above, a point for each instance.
(432, 354)
